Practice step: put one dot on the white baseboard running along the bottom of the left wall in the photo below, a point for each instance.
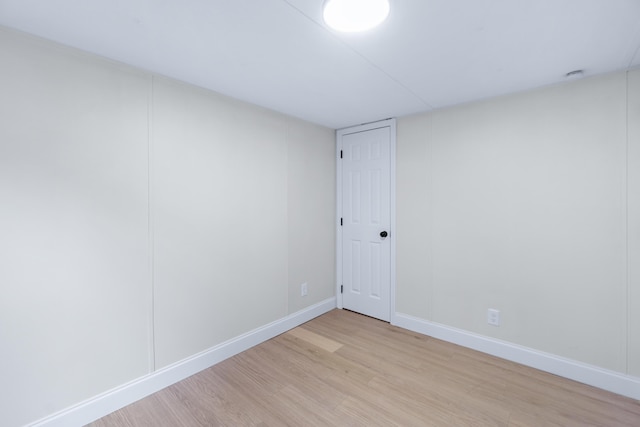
(105, 403)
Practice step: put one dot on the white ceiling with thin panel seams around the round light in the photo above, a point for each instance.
(279, 54)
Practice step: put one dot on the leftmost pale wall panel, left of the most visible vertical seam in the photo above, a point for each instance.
(74, 255)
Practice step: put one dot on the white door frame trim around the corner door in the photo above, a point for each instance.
(391, 124)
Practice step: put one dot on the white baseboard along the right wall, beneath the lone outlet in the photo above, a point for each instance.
(571, 369)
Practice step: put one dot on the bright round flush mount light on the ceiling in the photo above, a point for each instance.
(355, 15)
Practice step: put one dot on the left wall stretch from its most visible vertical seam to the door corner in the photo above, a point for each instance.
(240, 205)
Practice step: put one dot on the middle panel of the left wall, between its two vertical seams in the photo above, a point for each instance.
(220, 219)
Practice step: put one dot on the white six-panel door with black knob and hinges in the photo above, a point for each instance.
(366, 220)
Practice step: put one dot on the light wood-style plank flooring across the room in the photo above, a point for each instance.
(345, 369)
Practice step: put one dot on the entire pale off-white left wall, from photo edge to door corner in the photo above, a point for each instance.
(142, 221)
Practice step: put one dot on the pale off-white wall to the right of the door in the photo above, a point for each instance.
(521, 204)
